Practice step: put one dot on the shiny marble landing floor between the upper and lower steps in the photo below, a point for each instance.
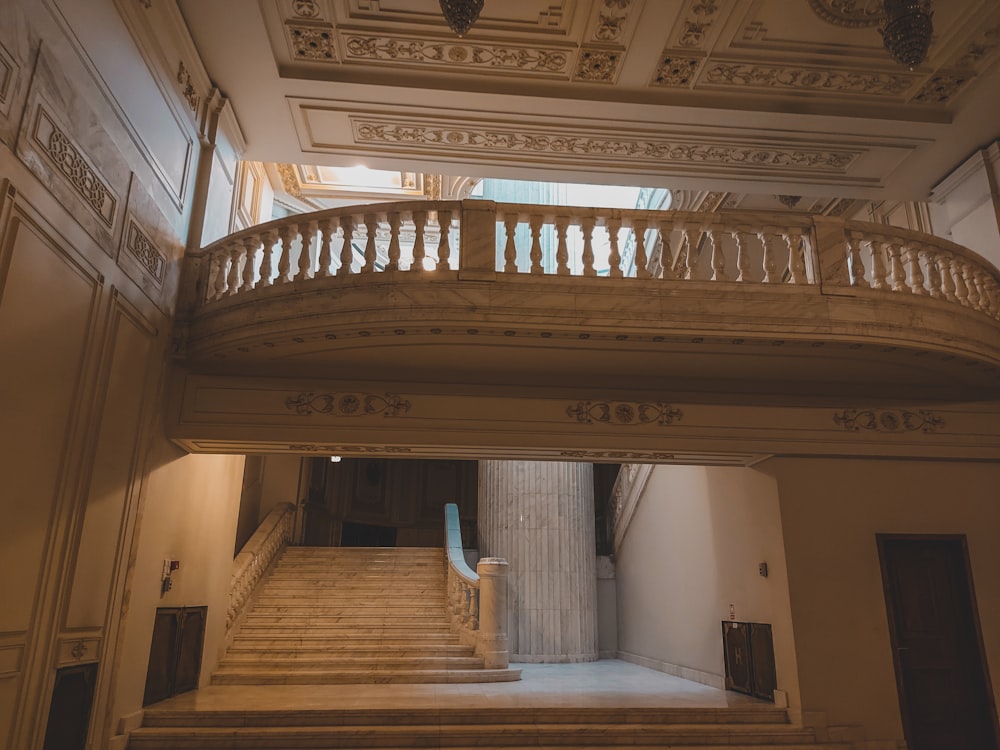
(604, 684)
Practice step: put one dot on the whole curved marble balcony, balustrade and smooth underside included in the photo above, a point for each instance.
(508, 295)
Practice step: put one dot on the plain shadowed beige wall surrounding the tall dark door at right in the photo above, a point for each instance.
(831, 511)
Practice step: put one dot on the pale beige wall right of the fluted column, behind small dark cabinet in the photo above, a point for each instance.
(693, 548)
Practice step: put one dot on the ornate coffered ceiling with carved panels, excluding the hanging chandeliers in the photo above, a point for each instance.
(765, 96)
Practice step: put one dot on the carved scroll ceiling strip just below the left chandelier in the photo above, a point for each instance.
(460, 55)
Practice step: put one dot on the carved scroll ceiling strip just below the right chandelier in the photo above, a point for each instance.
(806, 79)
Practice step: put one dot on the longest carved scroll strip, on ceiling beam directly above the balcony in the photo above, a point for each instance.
(506, 140)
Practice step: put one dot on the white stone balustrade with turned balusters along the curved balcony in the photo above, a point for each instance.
(483, 240)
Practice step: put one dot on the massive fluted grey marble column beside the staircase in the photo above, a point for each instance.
(539, 516)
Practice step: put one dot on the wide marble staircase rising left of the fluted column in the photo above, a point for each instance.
(333, 615)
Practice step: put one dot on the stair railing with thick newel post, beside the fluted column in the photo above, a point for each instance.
(477, 601)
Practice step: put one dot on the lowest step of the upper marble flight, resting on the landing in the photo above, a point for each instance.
(362, 676)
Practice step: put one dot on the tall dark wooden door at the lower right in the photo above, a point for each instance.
(944, 692)
